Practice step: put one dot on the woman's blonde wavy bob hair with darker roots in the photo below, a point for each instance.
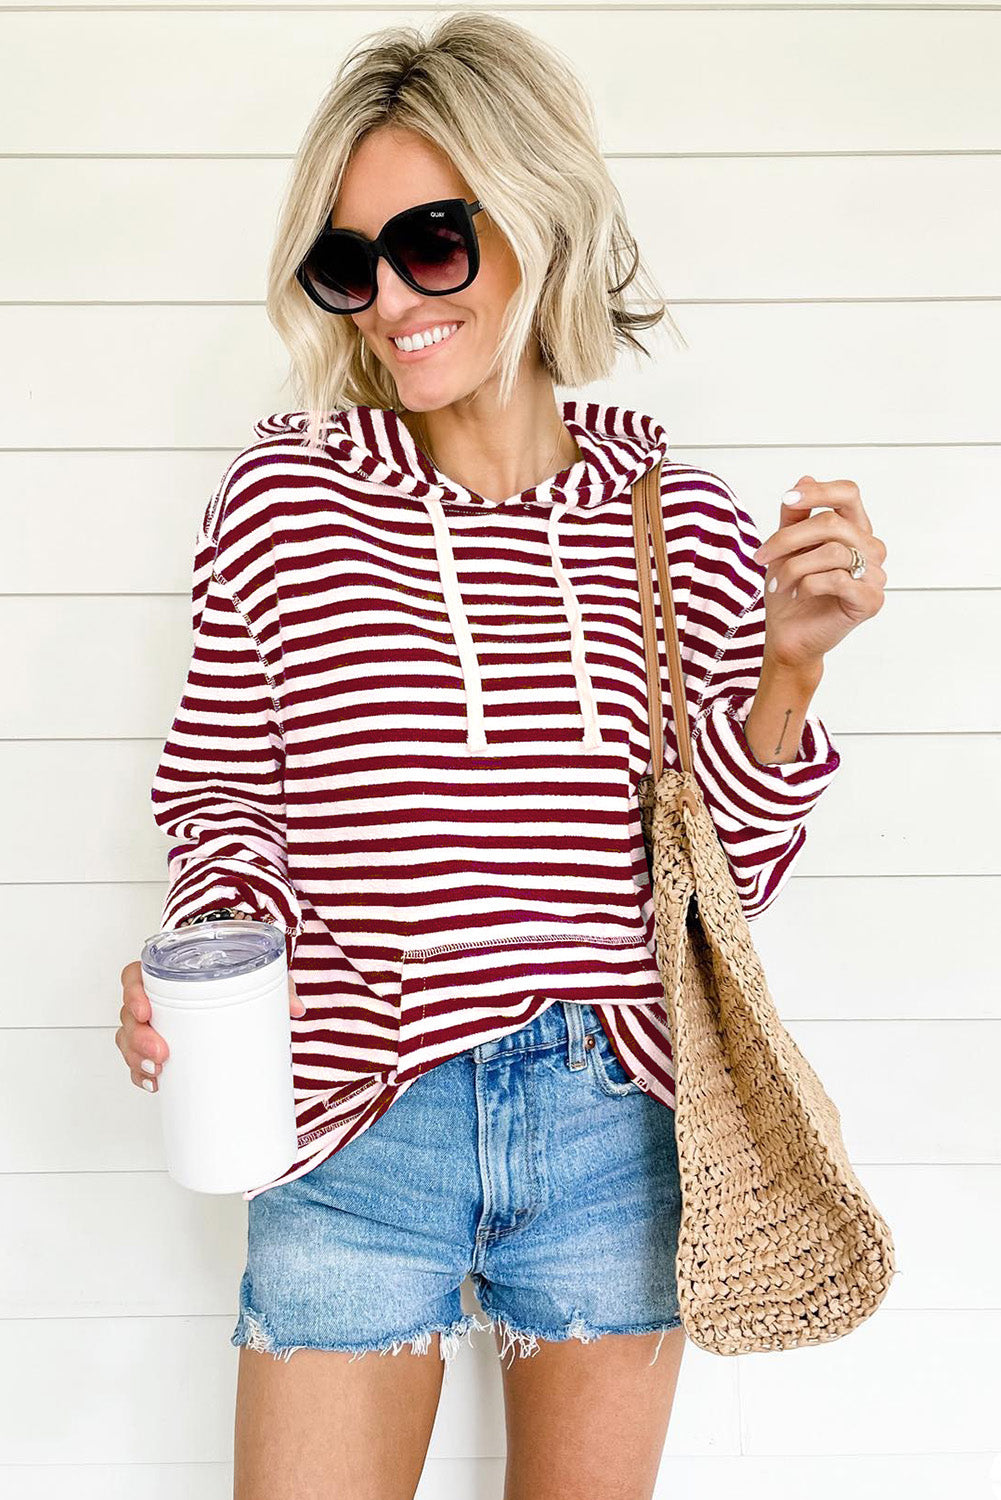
(520, 127)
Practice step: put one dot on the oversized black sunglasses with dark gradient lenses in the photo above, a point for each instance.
(433, 247)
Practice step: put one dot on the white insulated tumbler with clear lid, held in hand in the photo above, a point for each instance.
(220, 998)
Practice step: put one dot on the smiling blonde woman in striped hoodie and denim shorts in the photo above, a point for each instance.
(412, 736)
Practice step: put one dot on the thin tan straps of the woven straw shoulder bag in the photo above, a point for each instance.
(649, 515)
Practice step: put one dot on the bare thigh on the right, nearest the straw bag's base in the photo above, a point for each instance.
(591, 1420)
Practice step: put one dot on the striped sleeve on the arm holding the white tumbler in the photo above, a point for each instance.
(218, 791)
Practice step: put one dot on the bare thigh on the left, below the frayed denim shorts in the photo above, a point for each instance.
(322, 1424)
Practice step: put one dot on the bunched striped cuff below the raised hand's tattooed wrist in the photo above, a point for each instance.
(754, 794)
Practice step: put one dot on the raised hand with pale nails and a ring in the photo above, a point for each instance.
(811, 599)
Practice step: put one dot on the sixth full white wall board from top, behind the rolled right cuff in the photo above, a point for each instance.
(80, 811)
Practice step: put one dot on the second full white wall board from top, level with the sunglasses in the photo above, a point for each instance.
(709, 229)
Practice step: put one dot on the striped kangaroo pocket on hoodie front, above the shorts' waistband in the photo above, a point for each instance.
(451, 989)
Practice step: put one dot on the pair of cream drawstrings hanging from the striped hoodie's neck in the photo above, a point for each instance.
(473, 683)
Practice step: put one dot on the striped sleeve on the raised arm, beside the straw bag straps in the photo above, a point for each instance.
(760, 811)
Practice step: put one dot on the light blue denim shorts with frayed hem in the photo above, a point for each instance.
(532, 1165)
